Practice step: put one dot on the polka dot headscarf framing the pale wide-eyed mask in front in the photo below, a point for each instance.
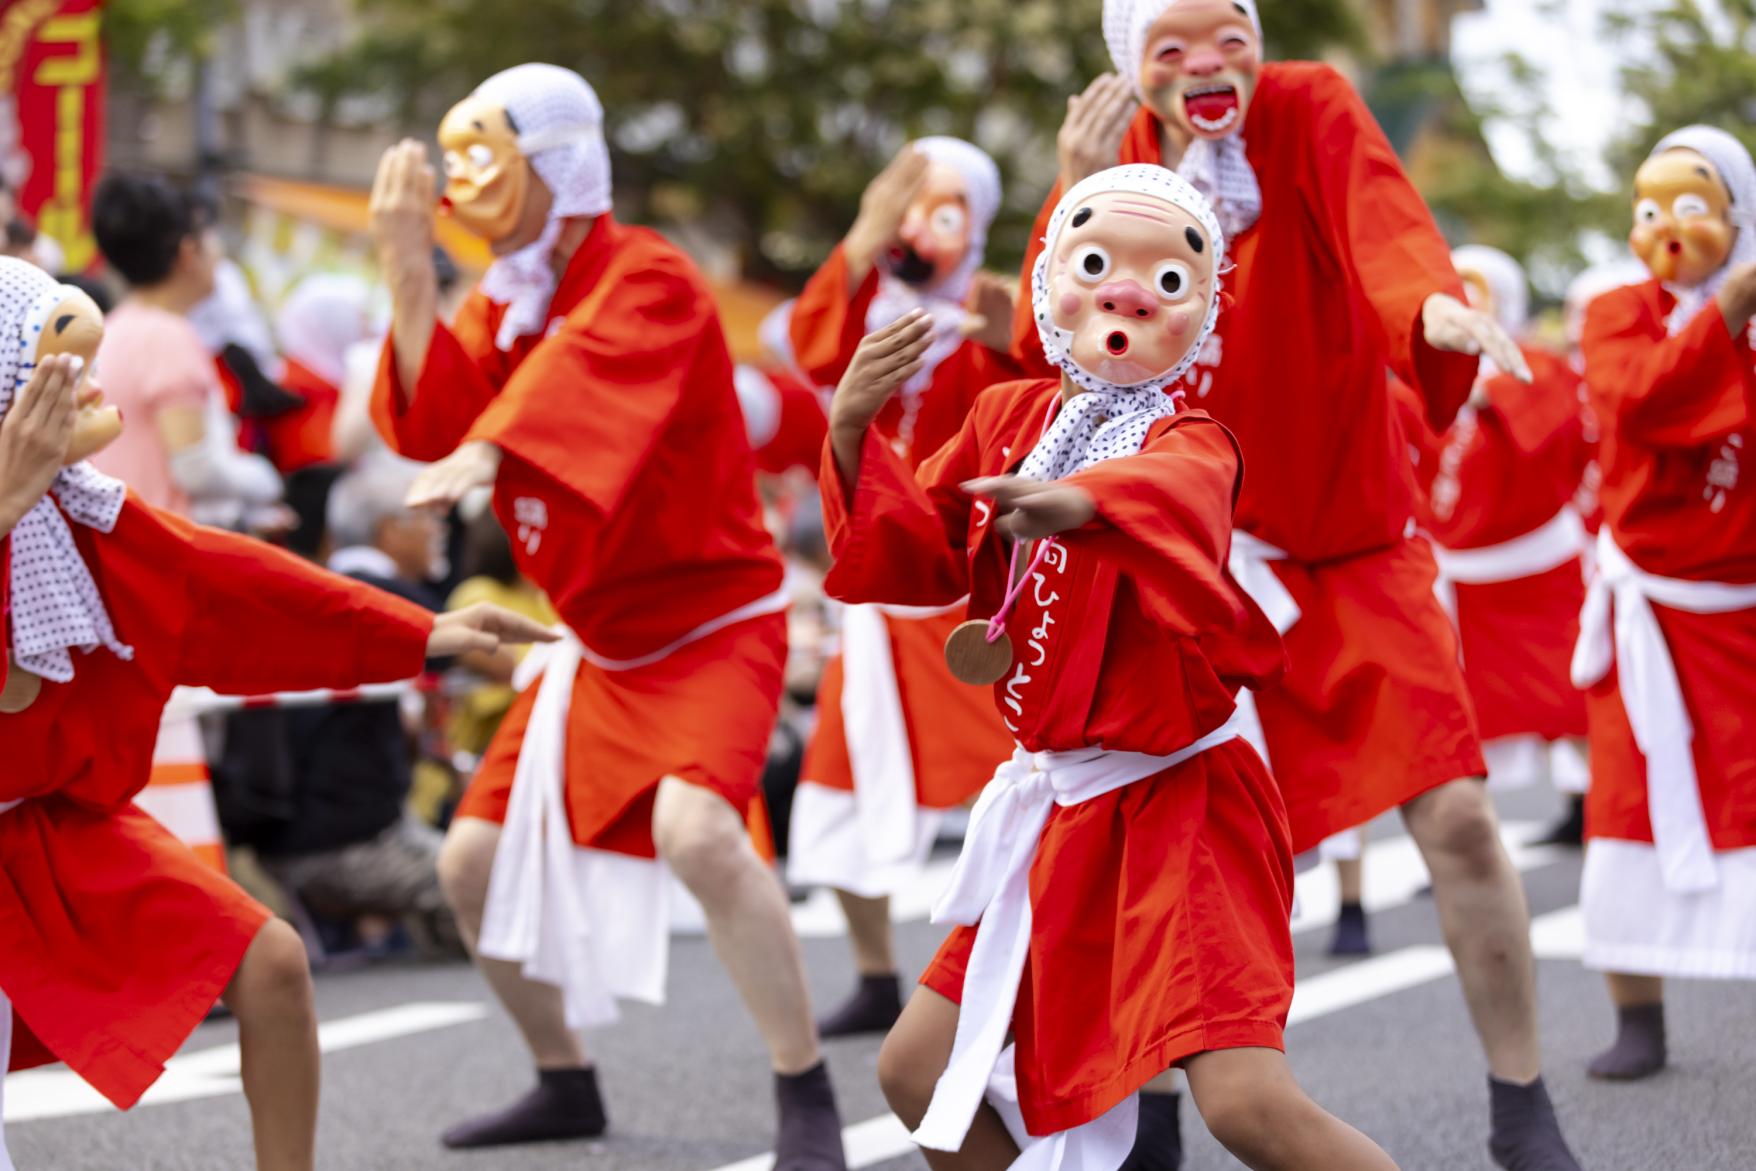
(1111, 420)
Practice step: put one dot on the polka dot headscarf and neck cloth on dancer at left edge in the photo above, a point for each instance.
(55, 605)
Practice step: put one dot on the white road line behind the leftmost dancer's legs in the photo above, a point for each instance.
(213, 1072)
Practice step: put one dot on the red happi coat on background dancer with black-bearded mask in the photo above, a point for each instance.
(954, 738)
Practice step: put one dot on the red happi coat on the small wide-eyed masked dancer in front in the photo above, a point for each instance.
(1160, 910)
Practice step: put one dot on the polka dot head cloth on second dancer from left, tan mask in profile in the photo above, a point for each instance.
(561, 131)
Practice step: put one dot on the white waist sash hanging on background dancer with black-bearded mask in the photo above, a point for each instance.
(877, 731)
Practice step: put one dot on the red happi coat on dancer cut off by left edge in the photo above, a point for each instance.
(117, 938)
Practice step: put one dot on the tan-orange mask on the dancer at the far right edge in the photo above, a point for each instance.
(1683, 219)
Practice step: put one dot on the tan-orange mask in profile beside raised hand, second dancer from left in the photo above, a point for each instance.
(489, 183)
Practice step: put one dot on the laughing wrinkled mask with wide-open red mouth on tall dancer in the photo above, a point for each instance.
(1198, 66)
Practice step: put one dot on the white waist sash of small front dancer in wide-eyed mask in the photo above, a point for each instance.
(991, 886)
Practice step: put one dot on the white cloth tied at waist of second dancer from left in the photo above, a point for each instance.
(591, 923)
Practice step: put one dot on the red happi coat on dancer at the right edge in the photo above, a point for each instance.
(1680, 499)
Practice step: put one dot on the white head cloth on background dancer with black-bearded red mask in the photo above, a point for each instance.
(946, 301)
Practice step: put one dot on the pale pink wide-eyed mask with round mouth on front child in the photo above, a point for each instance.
(1130, 287)
